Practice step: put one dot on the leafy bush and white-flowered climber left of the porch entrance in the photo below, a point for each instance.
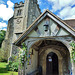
(15, 60)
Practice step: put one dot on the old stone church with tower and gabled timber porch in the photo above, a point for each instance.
(46, 36)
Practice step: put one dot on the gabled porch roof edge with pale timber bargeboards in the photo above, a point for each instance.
(38, 20)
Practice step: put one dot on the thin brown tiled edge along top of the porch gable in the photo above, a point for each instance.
(39, 18)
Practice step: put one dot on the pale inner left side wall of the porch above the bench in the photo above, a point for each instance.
(29, 68)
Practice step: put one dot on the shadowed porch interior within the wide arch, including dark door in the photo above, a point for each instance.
(60, 64)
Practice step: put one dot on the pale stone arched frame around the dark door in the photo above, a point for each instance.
(60, 58)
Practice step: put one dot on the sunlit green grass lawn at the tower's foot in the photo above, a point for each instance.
(3, 70)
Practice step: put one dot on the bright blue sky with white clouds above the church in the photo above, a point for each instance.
(65, 9)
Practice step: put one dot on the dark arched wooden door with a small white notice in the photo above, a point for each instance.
(52, 64)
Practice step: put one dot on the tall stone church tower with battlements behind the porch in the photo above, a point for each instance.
(24, 14)
